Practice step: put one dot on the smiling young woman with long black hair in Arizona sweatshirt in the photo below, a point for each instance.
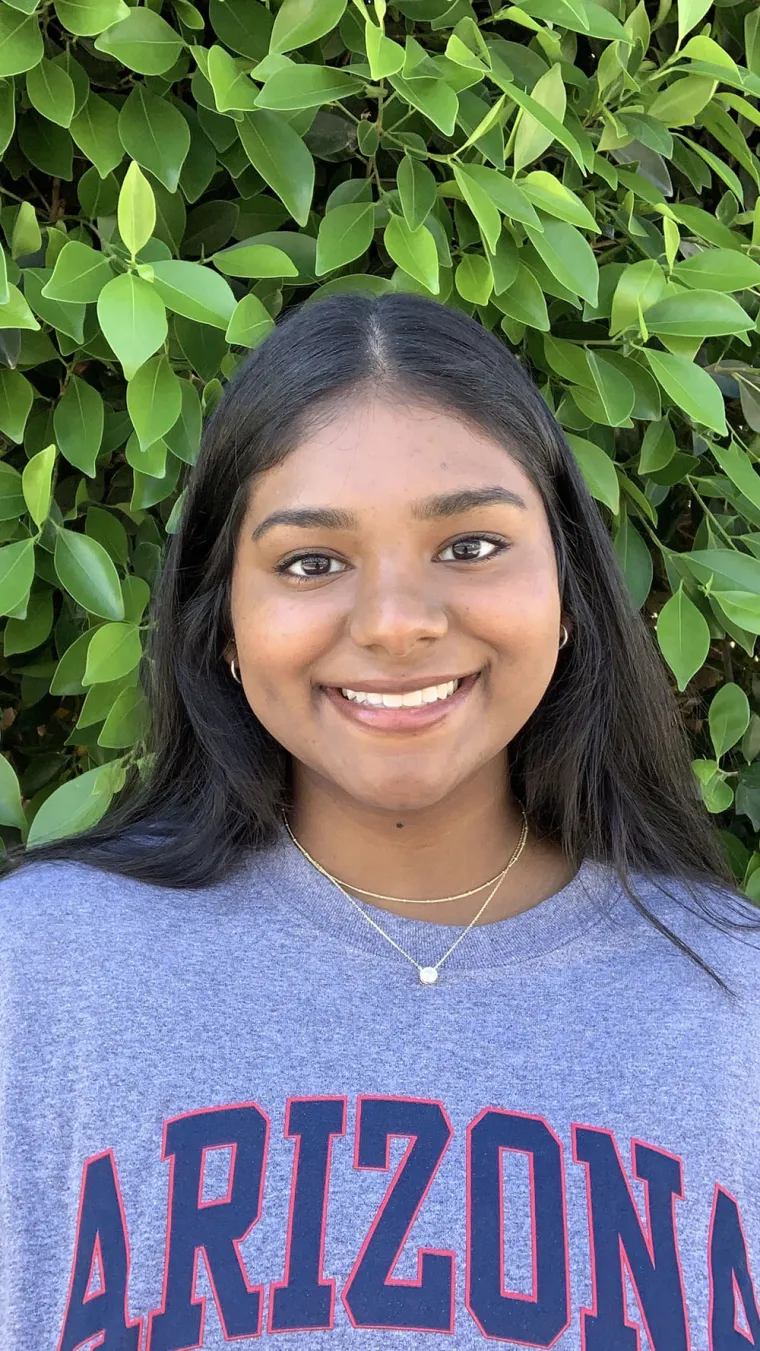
(407, 992)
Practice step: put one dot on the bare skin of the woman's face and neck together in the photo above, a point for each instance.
(425, 811)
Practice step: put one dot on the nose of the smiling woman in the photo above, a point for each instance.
(395, 610)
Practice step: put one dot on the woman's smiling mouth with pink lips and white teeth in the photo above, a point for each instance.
(402, 710)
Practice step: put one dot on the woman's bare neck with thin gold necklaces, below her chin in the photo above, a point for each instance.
(433, 852)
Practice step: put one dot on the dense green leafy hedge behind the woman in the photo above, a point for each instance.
(578, 174)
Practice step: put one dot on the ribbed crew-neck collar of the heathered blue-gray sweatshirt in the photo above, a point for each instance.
(578, 906)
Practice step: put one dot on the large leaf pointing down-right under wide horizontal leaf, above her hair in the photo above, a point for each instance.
(279, 155)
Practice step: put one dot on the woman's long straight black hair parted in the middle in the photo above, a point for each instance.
(603, 767)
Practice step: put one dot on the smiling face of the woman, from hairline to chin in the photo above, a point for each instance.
(395, 603)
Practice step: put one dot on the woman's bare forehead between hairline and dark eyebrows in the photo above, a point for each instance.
(372, 452)
